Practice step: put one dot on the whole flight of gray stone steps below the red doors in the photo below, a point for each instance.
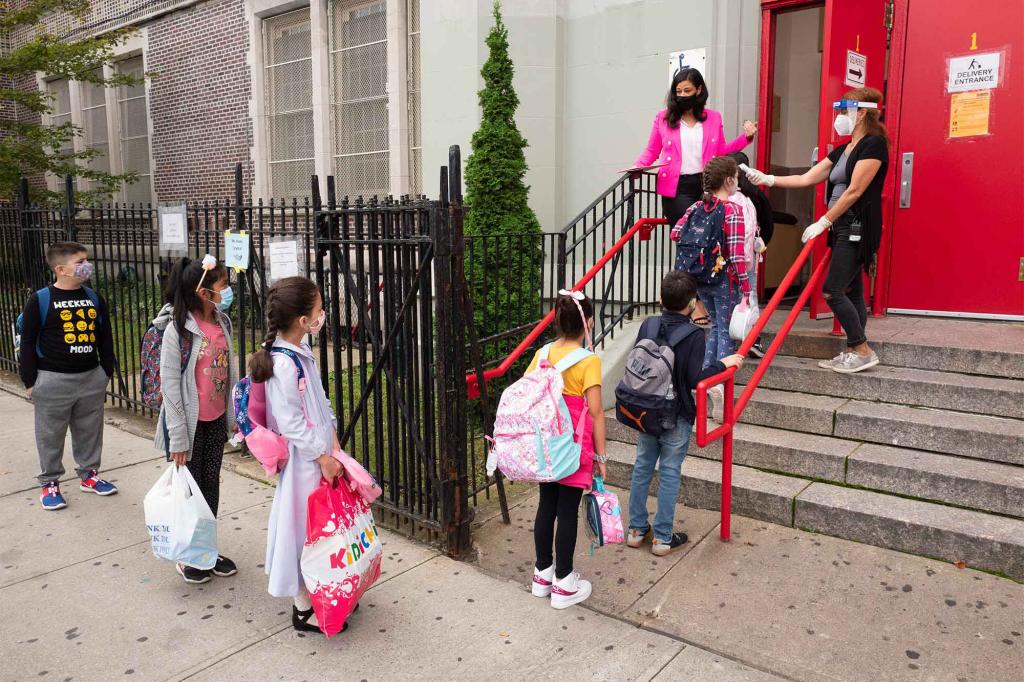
(925, 454)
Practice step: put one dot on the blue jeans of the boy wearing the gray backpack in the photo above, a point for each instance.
(670, 448)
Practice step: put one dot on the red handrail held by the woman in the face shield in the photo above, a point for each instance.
(733, 411)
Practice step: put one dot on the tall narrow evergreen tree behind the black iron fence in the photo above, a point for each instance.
(505, 258)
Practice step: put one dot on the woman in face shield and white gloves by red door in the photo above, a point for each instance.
(855, 174)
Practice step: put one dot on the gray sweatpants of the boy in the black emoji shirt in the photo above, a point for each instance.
(63, 401)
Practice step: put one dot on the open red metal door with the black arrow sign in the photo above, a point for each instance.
(854, 56)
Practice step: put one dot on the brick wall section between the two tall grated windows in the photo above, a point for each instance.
(199, 103)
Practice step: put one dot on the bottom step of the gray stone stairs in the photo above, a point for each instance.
(980, 540)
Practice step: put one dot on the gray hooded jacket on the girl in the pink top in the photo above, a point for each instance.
(180, 413)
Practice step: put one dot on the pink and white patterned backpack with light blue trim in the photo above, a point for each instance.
(535, 440)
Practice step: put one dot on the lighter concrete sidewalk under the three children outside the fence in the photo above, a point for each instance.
(84, 600)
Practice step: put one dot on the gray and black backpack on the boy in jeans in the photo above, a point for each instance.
(646, 398)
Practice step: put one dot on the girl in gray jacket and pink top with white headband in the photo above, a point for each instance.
(197, 413)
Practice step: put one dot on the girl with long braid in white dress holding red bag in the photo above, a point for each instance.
(294, 310)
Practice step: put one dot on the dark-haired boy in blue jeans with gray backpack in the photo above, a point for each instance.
(655, 398)
